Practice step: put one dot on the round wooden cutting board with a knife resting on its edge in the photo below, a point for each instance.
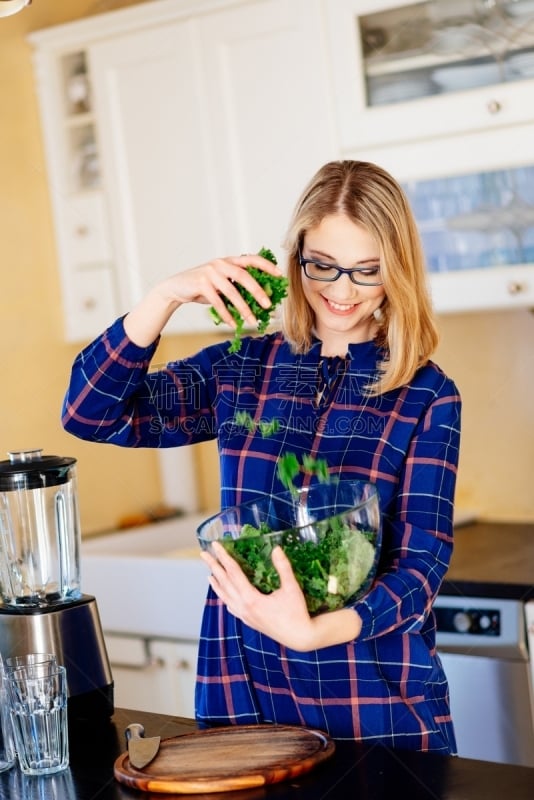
(228, 758)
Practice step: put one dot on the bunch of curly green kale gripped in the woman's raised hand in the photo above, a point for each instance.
(274, 286)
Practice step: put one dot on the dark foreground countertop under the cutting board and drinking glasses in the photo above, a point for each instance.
(354, 771)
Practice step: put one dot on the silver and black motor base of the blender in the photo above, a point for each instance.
(72, 631)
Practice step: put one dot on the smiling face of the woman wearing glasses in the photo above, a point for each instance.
(343, 310)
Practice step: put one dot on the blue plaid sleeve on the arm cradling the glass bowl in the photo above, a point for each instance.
(418, 530)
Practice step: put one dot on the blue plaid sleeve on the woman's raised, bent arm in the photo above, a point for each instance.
(113, 398)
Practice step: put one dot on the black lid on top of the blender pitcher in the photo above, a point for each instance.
(29, 469)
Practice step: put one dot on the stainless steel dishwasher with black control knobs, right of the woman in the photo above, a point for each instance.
(484, 646)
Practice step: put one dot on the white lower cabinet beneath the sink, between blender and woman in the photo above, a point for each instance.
(151, 674)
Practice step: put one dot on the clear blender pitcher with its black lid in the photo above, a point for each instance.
(39, 530)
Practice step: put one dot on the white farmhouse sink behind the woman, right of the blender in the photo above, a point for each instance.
(149, 580)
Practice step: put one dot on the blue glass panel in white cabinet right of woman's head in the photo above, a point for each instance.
(485, 219)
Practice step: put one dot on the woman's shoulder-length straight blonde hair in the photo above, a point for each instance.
(370, 197)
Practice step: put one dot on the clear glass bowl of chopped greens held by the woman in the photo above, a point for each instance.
(330, 532)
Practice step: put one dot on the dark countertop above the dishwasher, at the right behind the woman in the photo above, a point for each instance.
(492, 559)
